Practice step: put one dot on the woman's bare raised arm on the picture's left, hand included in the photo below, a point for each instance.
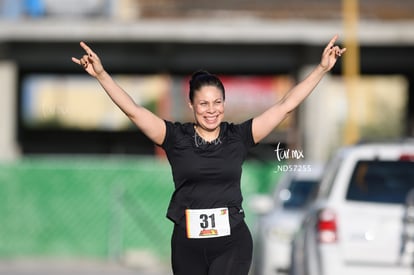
(149, 123)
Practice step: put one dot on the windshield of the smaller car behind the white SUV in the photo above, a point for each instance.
(298, 193)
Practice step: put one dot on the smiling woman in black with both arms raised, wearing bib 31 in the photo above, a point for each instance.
(210, 235)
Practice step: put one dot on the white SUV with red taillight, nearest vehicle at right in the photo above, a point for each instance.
(356, 223)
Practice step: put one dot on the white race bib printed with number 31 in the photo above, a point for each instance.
(207, 223)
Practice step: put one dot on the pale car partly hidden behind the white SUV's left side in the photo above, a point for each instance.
(276, 226)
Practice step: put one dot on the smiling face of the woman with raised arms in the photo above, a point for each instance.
(208, 107)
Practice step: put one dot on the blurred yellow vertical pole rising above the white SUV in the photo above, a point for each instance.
(351, 66)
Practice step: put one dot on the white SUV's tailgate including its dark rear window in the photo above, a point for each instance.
(370, 220)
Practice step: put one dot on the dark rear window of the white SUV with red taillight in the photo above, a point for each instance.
(381, 181)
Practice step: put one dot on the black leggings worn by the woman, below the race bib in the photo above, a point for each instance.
(230, 255)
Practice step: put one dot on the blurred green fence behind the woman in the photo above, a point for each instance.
(100, 208)
